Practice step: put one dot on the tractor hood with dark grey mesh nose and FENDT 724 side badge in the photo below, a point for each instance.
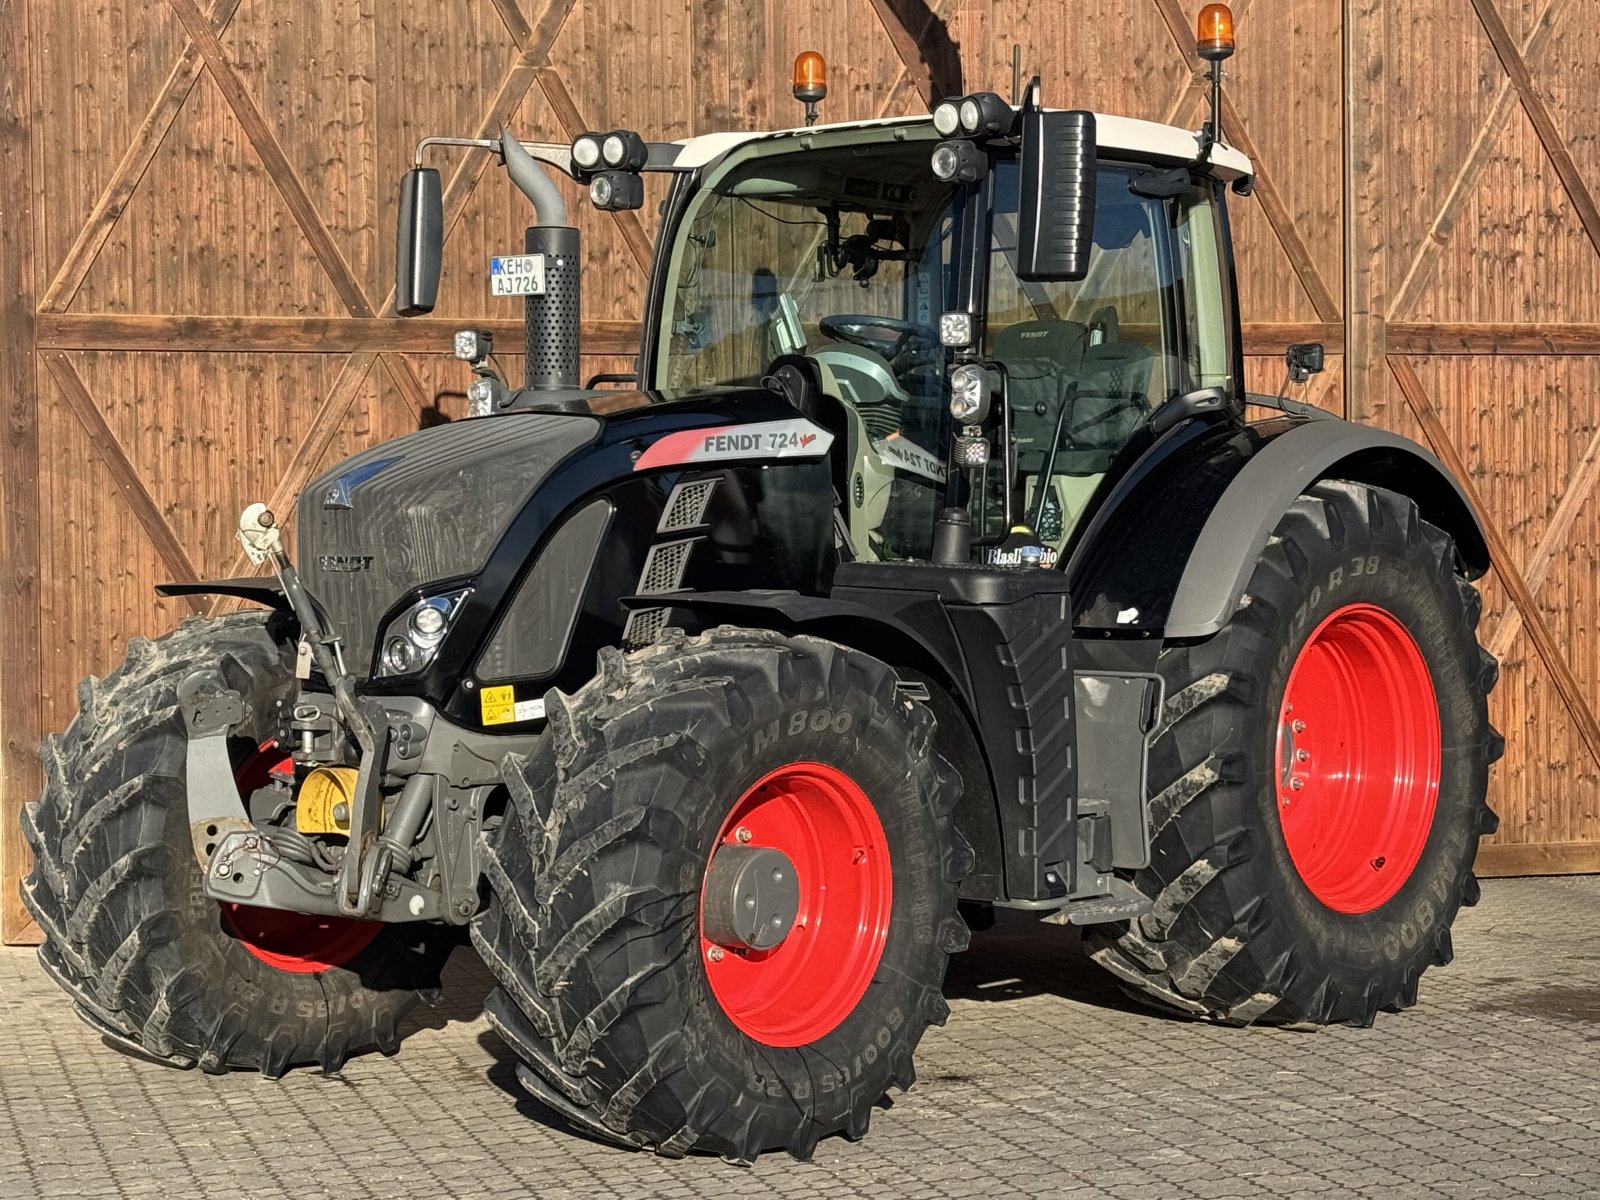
(434, 508)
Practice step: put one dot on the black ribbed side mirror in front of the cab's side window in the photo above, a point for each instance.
(1055, 196)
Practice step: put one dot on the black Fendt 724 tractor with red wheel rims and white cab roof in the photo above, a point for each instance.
(927, 567)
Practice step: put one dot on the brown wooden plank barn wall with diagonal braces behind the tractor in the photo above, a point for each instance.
(196, 262)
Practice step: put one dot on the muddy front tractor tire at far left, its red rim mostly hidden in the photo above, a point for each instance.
(148, 959)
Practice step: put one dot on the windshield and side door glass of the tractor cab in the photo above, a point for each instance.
(844, 254)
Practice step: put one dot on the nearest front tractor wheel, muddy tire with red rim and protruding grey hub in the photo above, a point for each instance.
(628, 1018)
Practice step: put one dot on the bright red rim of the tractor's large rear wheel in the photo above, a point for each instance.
(1358, 759)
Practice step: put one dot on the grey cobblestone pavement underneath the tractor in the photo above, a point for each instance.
(1046, 1082)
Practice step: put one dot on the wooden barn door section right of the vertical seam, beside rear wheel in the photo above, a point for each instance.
(1476, 151)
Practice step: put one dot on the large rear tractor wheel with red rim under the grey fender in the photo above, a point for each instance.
(1318, 778)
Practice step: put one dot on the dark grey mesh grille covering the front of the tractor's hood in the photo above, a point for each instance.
(422, 508)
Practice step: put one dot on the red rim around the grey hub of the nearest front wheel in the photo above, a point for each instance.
(806, 986)
